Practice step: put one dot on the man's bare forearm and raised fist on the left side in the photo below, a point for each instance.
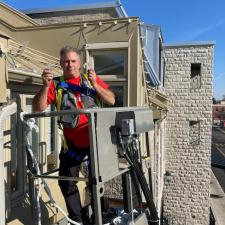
(39, 102)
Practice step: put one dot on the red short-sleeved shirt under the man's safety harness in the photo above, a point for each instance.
(78, 136)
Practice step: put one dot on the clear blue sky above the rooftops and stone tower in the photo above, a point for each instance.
(180, 21)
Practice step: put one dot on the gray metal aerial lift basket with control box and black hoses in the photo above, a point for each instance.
(114, 134)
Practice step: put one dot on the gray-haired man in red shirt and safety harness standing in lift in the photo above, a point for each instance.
(76, 143)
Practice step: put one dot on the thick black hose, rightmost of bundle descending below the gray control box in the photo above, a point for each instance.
(154, 219)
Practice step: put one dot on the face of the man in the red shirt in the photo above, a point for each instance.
(70, 64)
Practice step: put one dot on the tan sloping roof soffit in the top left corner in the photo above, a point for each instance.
(14, 18)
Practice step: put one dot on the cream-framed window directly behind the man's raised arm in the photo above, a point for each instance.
(110, 62)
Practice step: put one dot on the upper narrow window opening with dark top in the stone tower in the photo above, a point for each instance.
(195, 75)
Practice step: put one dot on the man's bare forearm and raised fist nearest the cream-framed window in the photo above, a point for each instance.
(105, 94)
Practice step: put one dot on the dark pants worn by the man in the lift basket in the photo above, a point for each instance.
(70, 166)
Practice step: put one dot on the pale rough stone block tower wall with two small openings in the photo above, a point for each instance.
(186, 198)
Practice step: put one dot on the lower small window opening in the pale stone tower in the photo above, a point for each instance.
(194, 132)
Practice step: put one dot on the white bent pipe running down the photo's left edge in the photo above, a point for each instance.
(4, 113)
